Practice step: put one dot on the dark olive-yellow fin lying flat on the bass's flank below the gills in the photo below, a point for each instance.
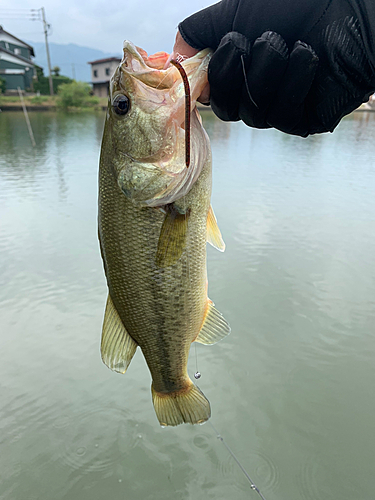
(172, 239)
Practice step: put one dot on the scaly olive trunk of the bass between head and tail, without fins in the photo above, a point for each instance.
(162, 309)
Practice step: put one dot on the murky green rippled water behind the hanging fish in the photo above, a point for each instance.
(292, 389)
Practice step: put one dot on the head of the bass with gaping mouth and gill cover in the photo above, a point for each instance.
(152, 141)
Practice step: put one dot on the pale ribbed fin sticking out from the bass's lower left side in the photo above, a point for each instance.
(117, 348)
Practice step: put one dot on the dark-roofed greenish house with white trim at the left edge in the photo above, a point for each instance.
(16, 65)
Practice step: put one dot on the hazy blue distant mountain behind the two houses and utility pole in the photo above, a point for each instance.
(71, 58)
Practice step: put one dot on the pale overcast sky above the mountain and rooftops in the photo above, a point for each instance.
(150, 24)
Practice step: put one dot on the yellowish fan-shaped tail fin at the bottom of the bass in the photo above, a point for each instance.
(189, 405)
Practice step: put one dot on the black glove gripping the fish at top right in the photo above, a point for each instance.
(298, 87)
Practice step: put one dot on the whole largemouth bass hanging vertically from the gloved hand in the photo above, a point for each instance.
(154, 220)
